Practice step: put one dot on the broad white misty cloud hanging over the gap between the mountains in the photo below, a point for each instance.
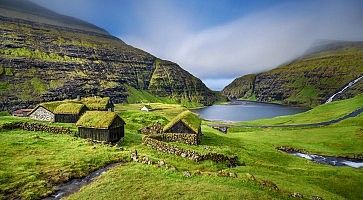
(251, 44)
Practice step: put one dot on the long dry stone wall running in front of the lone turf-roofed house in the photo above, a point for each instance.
(191, 155)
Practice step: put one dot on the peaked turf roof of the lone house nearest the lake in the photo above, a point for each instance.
(189, 118)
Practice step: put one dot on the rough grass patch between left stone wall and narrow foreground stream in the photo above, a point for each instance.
(33, 162)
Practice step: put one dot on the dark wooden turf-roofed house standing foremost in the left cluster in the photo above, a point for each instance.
(101, 126)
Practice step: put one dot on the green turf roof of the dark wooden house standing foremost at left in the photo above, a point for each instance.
(97, 119)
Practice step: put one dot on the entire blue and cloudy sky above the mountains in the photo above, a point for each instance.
(219, 40)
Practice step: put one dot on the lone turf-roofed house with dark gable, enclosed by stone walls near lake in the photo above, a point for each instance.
(185, 124)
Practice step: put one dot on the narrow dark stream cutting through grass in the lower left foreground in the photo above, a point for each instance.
(75, 185)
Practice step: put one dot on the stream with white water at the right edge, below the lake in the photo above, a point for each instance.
(329, 160)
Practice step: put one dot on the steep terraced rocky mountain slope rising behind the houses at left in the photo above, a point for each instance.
(46, 56)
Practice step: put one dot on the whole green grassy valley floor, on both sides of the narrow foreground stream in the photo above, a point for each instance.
(255, 148)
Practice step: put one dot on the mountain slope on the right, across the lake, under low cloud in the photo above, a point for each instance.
(309, 80)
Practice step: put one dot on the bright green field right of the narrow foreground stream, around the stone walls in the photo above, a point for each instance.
(254, 147)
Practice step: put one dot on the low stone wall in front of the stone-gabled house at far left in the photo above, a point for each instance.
(37, 127)
